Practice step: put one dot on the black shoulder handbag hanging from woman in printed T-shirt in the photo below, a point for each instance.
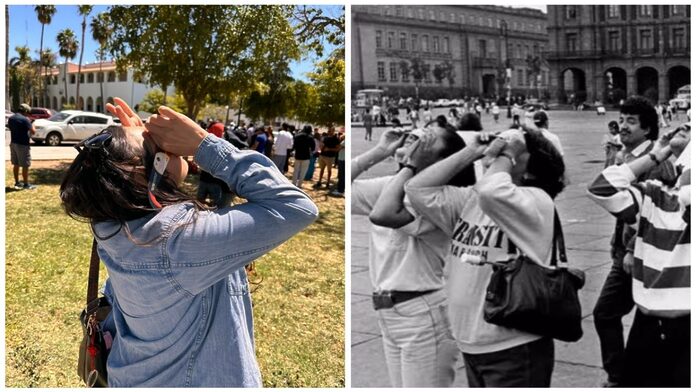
(527, 296)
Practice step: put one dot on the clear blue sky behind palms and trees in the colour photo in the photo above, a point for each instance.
(25, 29)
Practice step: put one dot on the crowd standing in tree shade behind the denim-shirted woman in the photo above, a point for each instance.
(288, 147)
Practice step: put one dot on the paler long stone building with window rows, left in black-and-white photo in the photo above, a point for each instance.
(459, 50)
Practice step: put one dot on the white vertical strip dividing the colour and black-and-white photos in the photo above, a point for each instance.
(347, 193)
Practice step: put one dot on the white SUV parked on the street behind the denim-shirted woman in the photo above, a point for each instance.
(69, 125)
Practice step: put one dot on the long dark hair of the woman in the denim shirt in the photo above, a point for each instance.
(111, 184)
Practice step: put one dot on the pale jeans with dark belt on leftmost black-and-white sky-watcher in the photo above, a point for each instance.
(418, 345)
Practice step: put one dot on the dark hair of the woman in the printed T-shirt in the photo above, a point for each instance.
(545, 164)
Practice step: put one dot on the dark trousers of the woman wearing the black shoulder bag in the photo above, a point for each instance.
(526, 365)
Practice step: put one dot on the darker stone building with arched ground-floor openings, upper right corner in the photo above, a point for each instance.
(605, 52)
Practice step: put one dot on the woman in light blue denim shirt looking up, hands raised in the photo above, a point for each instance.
(181, 307)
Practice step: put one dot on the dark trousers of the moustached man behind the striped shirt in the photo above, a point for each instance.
(615, 301)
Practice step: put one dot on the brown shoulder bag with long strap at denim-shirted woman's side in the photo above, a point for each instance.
(91, 365)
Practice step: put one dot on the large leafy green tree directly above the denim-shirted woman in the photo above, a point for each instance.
(204, 50)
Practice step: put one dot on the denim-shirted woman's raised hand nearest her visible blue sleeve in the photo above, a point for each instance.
(175, 133)
